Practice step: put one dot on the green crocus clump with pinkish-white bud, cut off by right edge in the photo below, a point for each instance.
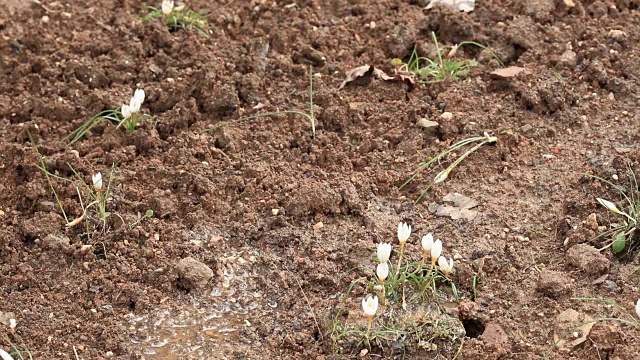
(624, 232)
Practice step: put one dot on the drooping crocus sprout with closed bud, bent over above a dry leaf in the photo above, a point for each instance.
(444, 174)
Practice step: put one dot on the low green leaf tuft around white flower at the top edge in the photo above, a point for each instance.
(180, 17)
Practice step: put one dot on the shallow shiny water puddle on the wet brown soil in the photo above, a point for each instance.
(208, 325)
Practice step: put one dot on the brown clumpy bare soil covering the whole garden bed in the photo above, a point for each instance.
(264, 284)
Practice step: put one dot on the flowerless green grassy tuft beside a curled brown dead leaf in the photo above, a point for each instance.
(443, 68)
